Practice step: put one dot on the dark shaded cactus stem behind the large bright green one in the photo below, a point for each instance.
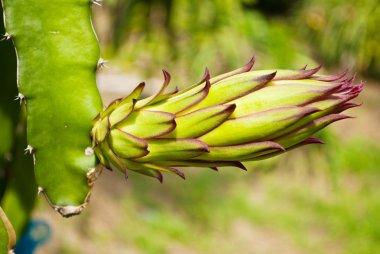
(18, 199)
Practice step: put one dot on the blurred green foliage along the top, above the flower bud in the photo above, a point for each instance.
(186, 35)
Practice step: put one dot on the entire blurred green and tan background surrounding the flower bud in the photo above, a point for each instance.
(317, 199)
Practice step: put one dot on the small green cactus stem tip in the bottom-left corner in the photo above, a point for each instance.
(7, 234)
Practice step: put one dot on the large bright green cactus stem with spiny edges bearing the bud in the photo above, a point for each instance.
(57, 59)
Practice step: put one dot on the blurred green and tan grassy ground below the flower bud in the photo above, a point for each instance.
(301, 207)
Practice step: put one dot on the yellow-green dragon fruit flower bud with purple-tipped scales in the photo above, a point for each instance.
(242, 115)
